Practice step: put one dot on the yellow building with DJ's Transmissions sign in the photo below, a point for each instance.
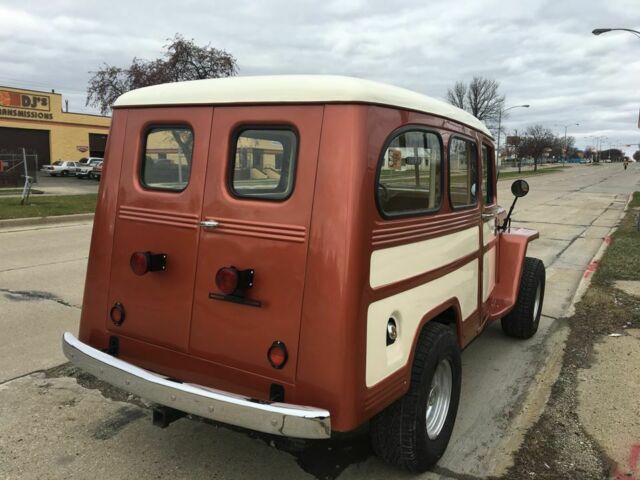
(34, 120)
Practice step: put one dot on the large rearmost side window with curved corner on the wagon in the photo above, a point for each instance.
(409, 177)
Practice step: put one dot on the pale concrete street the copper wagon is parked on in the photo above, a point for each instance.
(51, 427)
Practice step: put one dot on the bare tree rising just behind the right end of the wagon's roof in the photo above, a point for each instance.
(480, 97)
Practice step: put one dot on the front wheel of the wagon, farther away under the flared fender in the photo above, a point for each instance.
(523, 320)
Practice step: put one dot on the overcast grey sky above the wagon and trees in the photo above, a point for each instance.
(541, 52)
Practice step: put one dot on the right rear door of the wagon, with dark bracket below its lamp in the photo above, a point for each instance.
(257, 209)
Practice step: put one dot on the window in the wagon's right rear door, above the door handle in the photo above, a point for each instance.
(263, 163)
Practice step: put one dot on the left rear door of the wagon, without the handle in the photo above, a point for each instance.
(159, 202)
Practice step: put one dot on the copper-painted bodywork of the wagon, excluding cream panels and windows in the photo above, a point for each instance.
(311, 253)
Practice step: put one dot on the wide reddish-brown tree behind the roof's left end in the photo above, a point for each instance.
(182, 60)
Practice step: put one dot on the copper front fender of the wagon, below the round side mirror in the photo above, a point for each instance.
(512, 249)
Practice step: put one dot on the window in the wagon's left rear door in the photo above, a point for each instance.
(166, 160)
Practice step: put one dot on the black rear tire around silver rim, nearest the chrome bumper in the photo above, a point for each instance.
(399, 433)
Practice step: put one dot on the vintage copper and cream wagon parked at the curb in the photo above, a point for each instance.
(300, 255)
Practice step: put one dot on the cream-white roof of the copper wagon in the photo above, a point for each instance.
(293, 89)
